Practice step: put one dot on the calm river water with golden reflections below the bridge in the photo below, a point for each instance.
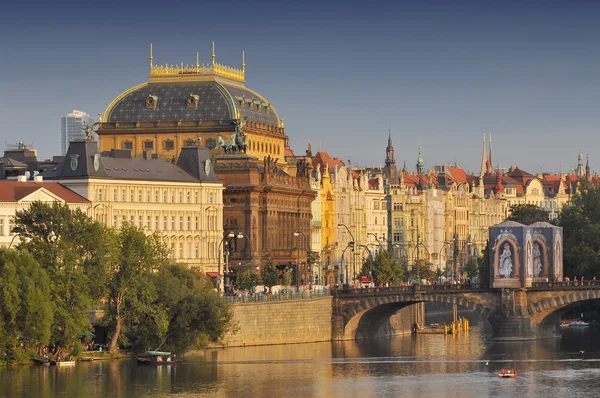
(411, 366)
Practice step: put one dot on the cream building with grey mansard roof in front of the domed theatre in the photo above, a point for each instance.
(181, 202)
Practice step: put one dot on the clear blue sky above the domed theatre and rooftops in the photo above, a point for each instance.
(437, 74)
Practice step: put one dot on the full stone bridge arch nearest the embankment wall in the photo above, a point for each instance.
(370, 316)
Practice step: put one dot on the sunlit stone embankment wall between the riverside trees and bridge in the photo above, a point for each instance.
(281, 322)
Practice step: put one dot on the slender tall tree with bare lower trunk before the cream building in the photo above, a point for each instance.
(138, 256)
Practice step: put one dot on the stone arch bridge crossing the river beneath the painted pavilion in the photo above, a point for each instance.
(514, 314)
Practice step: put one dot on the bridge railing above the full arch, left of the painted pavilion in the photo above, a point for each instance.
(411, 289)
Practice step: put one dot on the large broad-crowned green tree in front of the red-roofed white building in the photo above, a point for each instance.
(76, 253)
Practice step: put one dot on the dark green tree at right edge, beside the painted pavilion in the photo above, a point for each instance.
(581, 227)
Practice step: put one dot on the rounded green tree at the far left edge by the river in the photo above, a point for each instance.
(25, 312)
